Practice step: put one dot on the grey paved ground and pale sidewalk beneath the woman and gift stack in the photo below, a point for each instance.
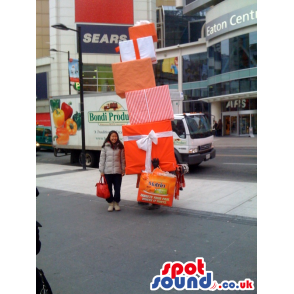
(86, 249)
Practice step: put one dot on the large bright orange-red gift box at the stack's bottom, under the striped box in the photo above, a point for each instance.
(164, 150)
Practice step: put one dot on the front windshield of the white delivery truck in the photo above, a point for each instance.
(199, 126)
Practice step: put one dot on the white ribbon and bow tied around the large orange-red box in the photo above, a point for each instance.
(144, 142)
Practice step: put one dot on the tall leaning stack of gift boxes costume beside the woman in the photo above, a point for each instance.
(148, 140)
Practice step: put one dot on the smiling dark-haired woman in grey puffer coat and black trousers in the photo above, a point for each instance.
(112, 166)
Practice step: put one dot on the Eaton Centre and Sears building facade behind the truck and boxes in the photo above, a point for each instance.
(206, 50)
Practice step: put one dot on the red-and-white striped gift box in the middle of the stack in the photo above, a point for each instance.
(148, 105)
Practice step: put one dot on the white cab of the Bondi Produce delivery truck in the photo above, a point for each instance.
(193, 138)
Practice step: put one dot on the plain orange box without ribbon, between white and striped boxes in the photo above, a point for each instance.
(133, 75)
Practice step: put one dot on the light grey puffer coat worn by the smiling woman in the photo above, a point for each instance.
(112, 161)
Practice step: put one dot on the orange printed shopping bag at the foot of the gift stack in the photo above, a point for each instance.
(157, 189)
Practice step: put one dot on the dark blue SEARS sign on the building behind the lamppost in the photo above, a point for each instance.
(102, 38)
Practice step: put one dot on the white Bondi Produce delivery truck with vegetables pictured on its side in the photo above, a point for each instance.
(193, 139)
